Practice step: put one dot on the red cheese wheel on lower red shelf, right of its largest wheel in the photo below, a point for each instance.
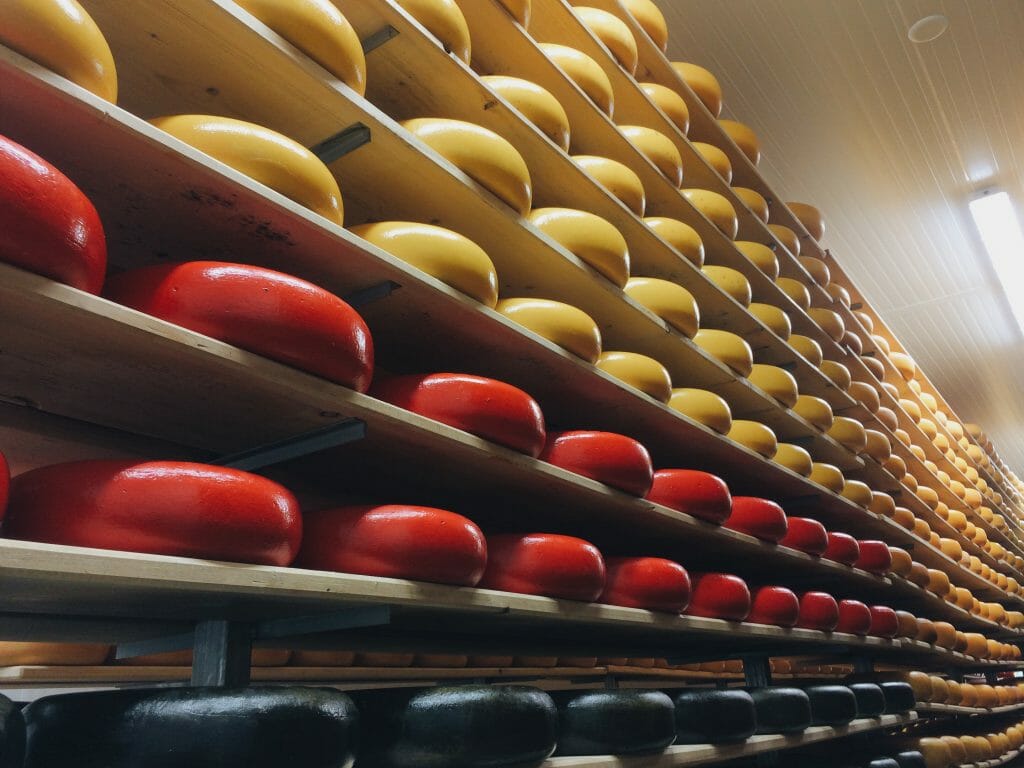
(397, 541)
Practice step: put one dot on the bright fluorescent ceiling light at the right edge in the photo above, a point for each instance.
(1001, 232)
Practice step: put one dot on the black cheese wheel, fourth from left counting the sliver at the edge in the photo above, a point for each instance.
(615, 722)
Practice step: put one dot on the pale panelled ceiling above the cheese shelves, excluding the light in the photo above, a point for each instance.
(891, 140)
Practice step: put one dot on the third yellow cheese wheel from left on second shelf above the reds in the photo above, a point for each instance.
(589, 238)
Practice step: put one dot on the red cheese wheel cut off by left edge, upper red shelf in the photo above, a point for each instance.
(49, 226)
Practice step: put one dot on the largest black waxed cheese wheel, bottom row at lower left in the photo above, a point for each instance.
(255, 728)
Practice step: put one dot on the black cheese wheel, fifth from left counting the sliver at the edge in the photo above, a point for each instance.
(710, 716)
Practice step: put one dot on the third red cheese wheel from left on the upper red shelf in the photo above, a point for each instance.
(489, 409)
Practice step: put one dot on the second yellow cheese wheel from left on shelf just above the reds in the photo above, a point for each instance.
(269, 157)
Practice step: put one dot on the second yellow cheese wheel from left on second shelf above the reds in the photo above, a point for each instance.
(482, 155)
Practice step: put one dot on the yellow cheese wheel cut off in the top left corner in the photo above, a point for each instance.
(62, 36)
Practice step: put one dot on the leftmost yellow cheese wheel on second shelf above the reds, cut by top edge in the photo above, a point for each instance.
(319, 30)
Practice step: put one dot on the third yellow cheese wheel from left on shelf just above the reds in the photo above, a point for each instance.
(450, 258)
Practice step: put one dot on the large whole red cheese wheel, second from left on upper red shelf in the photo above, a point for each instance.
(263, 311)
